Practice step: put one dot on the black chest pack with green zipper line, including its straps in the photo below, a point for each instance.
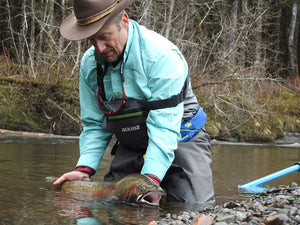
(126, 118)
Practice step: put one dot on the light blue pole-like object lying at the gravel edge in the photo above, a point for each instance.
(255, 186)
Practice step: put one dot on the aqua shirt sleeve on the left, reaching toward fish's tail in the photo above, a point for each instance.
(93, 141)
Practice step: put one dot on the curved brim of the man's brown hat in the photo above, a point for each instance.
(70, 30)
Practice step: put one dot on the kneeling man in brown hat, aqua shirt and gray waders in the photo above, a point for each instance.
(134, 84)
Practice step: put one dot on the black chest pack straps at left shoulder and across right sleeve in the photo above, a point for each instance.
(149, 105)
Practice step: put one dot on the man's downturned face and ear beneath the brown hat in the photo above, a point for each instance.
(111, 39)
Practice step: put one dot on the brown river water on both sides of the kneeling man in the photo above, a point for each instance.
(26, 161)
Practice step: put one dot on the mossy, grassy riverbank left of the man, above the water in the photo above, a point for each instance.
(32, 106)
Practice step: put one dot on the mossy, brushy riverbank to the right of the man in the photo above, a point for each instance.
(281, 114)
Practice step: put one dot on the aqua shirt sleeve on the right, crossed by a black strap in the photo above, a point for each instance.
(166, 78)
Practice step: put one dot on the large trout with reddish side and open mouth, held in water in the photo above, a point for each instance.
(133, 188)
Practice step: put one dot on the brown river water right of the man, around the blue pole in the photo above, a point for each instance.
(237, 165)
